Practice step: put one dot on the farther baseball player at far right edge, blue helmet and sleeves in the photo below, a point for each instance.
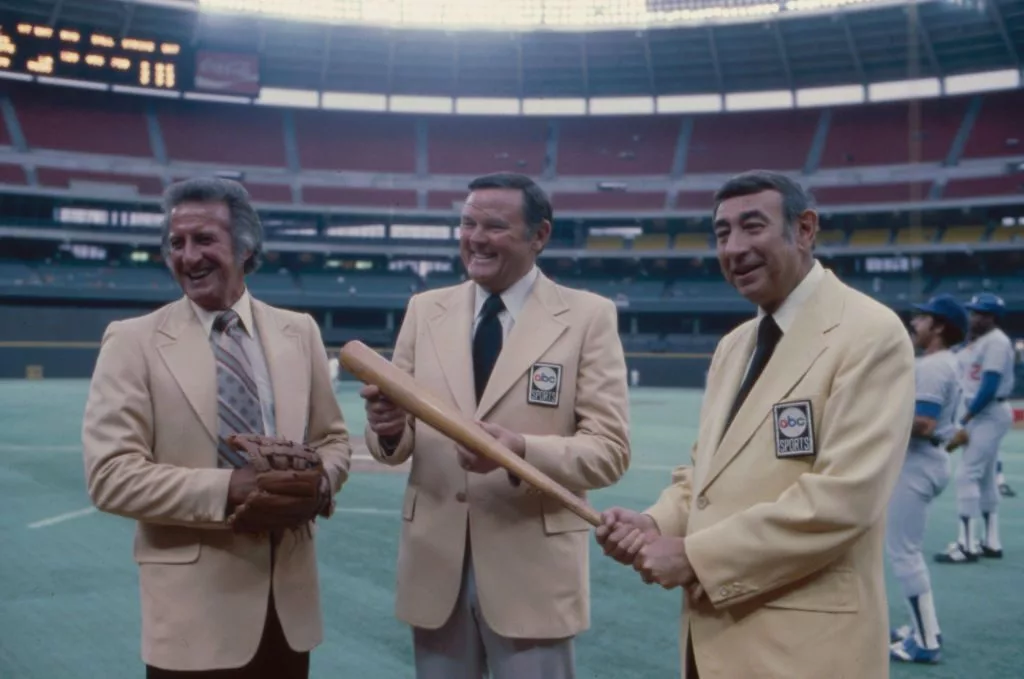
(988, 378)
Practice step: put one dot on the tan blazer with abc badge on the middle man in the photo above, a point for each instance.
(530, 555)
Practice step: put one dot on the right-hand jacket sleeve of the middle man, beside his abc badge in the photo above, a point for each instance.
(599, 454)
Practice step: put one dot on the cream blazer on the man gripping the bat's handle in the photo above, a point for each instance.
(790, 549)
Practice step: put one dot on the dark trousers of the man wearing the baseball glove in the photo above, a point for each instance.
(274, 660)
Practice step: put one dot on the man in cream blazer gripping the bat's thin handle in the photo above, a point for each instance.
(776, 532)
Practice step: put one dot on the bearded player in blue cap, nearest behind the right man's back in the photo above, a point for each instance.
(937, 326)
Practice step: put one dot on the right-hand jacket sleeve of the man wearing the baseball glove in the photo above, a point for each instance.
(327, 432)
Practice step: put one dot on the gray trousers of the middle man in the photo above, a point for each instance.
(465, 648)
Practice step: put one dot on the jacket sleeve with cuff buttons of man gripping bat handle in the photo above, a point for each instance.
(866, 429)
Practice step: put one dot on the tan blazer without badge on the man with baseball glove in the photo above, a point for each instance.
(150, 452)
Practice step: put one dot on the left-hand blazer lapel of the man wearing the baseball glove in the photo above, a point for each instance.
(186, 352)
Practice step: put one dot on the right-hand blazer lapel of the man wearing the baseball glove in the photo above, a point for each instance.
(282, 345)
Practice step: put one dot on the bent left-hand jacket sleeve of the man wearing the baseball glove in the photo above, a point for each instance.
(121, 475)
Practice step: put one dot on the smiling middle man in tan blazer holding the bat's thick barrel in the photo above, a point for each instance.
(492, 576)
